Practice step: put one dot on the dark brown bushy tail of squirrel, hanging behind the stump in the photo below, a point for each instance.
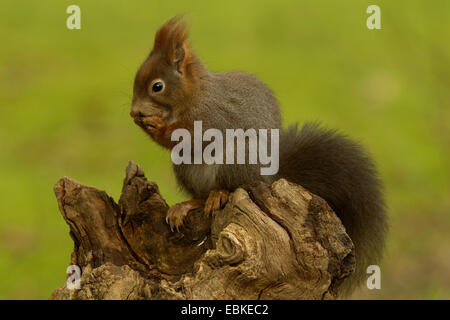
(338, 170)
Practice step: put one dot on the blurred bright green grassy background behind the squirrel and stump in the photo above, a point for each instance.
(65, 95)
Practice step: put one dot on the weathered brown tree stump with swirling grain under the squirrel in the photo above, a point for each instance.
(269, 242)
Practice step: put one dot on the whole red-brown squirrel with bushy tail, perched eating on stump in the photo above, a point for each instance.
(173, 88)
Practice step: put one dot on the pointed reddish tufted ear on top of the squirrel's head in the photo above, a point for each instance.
(171, 39)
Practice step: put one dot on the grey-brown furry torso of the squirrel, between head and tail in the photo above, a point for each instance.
(230, 100)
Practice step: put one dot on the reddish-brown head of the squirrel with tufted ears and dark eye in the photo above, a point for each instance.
(166, 81)
